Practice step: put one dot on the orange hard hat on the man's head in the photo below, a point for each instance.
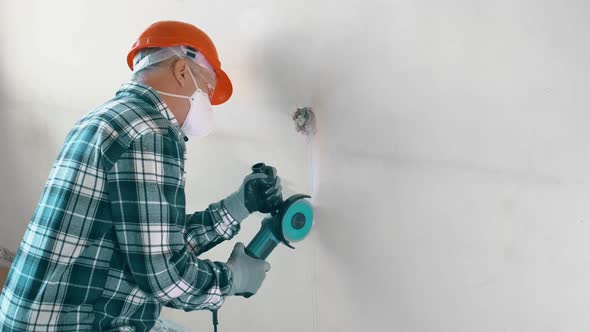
(173, 33)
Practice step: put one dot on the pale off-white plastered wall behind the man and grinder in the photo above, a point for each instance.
(451, 156)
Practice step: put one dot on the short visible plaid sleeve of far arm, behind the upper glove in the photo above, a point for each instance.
(206, 229)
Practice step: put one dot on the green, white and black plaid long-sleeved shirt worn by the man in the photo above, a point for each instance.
(109, 243)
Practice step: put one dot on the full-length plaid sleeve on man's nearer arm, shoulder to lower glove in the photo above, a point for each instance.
(147, 200)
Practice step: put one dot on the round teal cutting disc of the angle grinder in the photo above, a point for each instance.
(296, 218)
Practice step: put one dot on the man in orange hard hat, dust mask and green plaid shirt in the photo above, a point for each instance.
(110, 243)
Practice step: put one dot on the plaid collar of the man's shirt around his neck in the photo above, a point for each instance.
(151, 96)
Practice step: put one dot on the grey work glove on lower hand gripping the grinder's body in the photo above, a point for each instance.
(248, 273)
